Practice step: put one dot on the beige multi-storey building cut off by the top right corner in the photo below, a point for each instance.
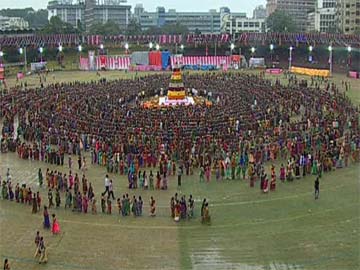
(348, 16)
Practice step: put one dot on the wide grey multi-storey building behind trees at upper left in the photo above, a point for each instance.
(89, 12)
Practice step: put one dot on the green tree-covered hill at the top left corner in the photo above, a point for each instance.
(36, 19)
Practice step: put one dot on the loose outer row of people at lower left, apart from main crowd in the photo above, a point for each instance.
(79, 201)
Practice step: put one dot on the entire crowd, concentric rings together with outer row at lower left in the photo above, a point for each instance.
(314, 129)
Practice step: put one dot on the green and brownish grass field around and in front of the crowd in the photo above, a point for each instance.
(285, 229)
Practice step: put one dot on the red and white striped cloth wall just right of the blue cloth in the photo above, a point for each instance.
(201, 60)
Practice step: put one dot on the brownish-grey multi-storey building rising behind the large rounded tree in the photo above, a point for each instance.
(297, 9)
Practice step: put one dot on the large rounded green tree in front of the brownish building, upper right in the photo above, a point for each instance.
(279, 21)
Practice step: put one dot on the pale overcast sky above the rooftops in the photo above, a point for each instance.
(150, 5)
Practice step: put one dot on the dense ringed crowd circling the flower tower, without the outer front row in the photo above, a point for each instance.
(251, 117)
